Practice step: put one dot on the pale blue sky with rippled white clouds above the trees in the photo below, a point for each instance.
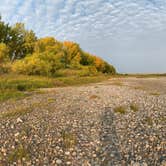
(130, 34)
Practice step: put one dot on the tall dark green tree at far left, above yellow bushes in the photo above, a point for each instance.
(19, 40)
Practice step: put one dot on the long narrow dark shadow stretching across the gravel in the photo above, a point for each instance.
(110, 154)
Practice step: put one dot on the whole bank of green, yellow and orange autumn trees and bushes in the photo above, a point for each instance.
(22, 53)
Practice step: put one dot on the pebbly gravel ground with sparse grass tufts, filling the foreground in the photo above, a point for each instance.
(118, 122)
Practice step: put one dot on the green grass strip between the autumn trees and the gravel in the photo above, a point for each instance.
(16, 86)
